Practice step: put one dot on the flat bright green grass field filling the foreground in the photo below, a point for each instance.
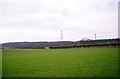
(75, 62)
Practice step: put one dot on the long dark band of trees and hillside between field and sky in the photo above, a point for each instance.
(63, 44)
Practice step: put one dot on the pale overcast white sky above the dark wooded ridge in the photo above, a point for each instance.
(43, 20)
